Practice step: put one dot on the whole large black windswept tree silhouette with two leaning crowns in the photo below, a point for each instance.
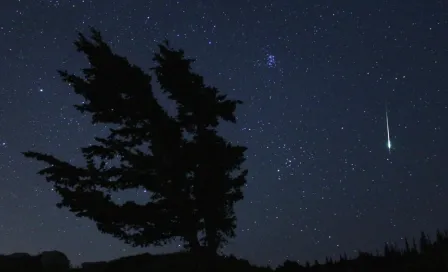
(192, 176)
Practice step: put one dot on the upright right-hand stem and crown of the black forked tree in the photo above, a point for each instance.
(213, 160)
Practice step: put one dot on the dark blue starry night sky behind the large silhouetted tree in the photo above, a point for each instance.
(316, 78)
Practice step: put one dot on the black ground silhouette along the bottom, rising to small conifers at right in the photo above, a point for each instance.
(422, 255)
